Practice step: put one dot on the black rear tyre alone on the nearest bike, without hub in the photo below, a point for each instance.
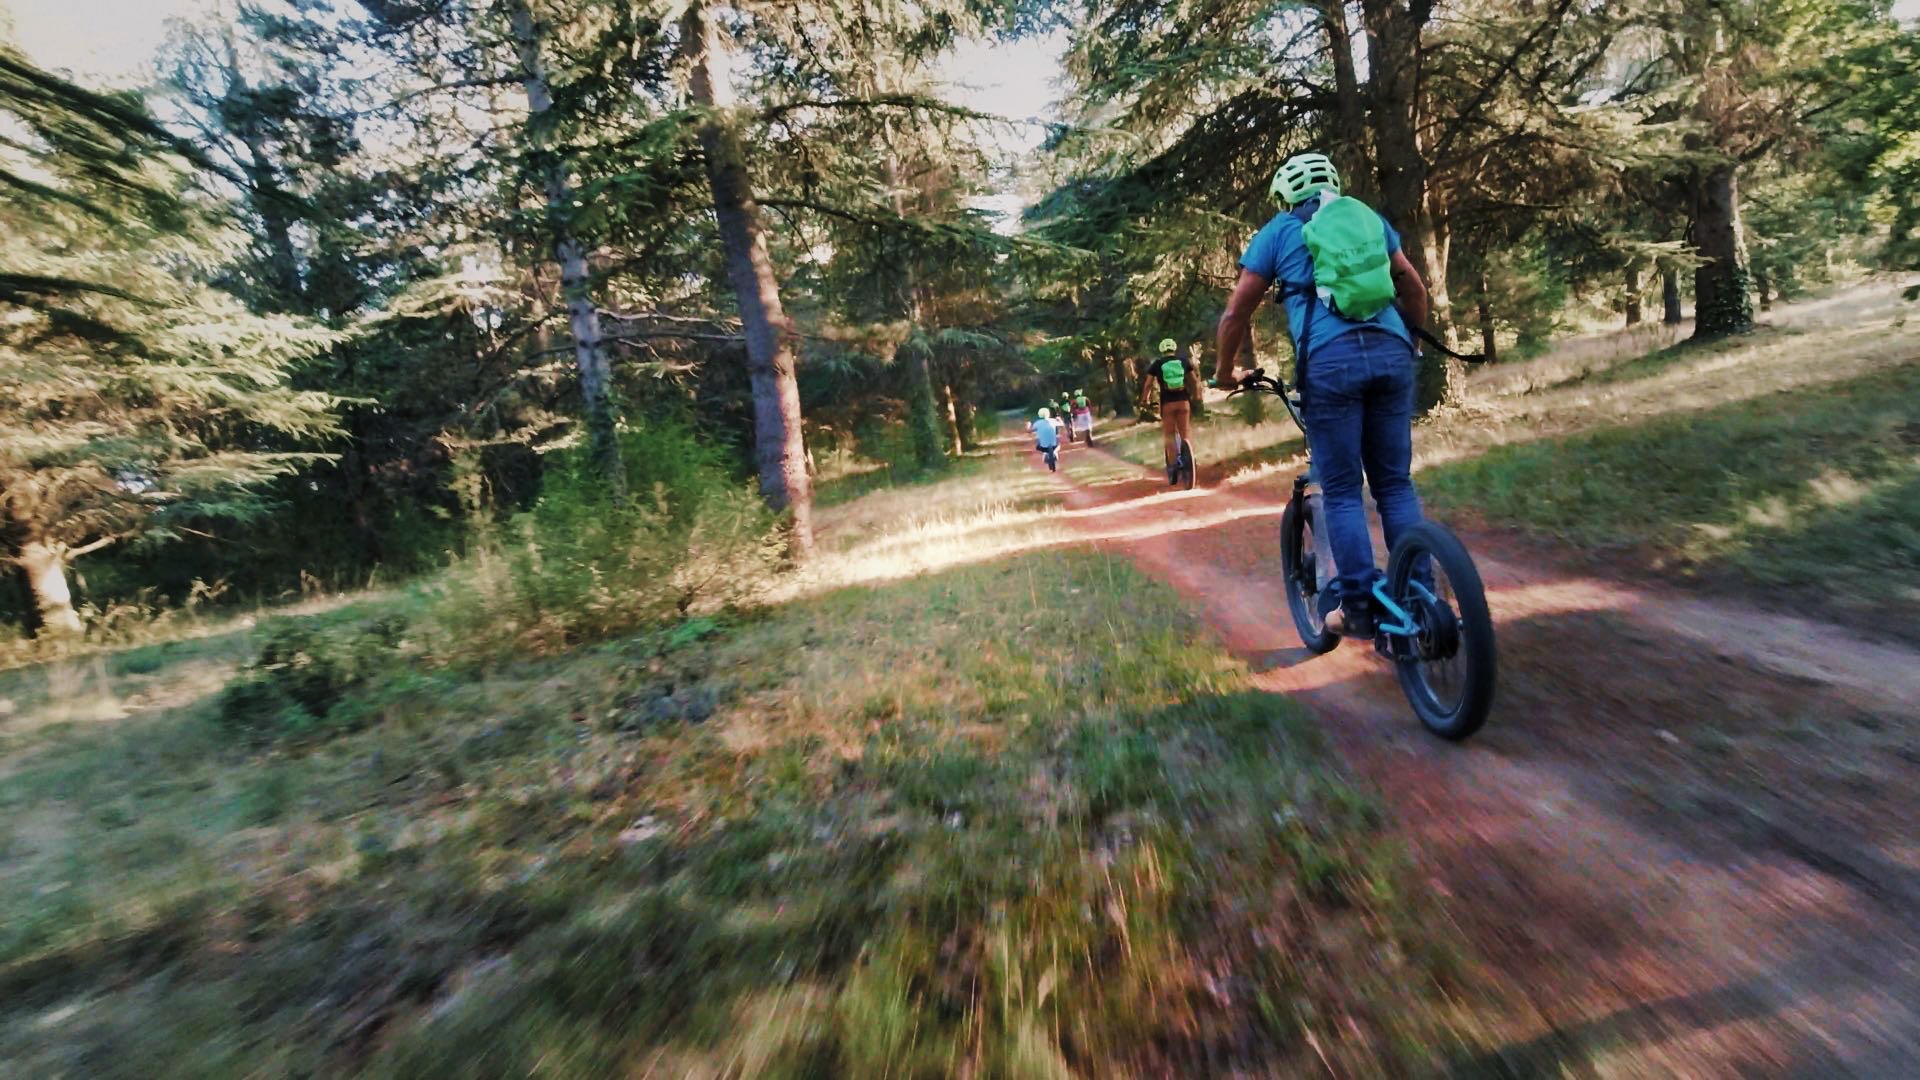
(1476, 631)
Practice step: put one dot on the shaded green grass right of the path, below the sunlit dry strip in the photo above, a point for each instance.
(1813, 491)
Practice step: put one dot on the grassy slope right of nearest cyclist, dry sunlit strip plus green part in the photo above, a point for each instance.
(1781, 464)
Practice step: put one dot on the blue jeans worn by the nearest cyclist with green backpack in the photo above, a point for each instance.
(1360, 420)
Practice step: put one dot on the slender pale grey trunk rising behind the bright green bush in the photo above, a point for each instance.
(590, 351)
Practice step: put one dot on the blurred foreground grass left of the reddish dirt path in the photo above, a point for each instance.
(1015, 818)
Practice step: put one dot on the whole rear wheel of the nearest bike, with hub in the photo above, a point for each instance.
(1447, 668)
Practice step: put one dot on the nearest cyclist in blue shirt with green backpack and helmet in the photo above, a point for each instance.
(1355, 362)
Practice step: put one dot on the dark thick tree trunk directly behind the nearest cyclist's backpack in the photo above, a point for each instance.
(1395, 87)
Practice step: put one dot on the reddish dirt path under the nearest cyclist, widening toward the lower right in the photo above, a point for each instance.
(1685, 843)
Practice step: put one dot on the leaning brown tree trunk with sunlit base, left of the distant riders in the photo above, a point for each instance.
(771, 355)
